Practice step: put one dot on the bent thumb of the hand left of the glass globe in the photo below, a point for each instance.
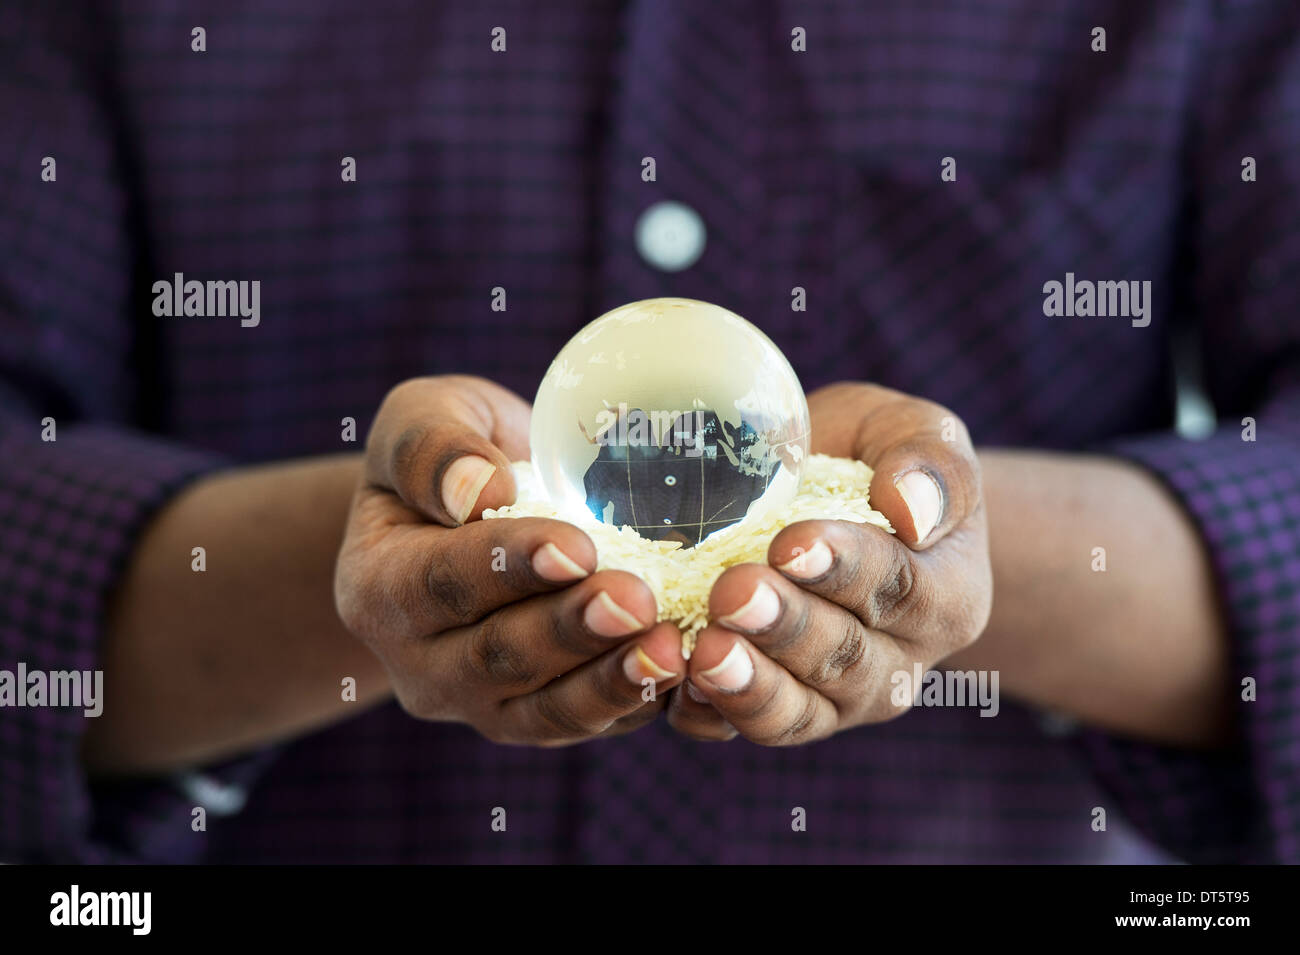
(445, 446)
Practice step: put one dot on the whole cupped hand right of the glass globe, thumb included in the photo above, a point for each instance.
(805, 648)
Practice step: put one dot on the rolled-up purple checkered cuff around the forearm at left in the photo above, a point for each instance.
(71, 514)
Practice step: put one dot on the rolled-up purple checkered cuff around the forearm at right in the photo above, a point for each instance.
(1242, 805)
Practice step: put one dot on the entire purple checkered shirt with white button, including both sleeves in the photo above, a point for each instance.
(522, 170)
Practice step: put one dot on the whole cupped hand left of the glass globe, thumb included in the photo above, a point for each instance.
(497, 624)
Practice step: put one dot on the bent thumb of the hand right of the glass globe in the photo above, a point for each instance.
(926, 477)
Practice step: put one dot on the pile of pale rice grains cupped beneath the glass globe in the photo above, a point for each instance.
(682, 579)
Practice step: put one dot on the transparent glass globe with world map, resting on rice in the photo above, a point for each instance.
(670, 416)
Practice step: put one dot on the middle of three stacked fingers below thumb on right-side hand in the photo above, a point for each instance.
(820, 643)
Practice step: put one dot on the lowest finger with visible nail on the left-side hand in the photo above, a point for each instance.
(592, 700)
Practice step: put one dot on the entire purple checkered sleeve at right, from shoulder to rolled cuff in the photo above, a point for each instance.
(1241, 485)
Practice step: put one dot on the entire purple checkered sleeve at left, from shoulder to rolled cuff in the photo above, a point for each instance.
(80, 475)
